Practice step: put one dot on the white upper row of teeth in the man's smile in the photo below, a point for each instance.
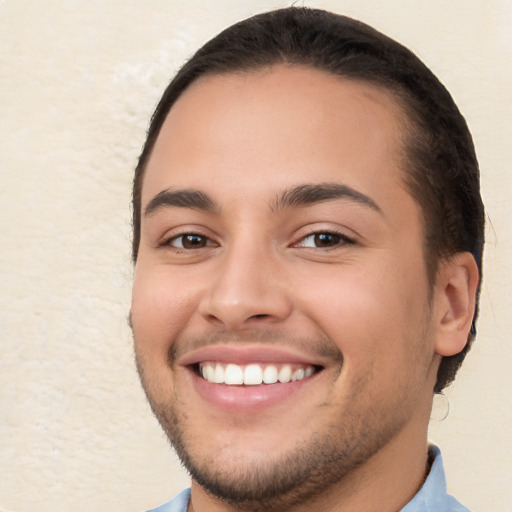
(253, 374)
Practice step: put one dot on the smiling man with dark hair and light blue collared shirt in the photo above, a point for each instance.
(308, 233)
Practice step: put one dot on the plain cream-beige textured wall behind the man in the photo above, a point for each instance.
(78, 81)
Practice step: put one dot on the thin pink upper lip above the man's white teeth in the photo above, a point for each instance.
(250, 354)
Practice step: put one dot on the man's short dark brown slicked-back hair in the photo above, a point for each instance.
(441, 171)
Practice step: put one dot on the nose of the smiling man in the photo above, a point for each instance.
(249, 289)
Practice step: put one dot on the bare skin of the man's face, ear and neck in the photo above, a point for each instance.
(358, 304)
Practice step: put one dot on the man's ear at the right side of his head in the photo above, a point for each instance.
(456, 288)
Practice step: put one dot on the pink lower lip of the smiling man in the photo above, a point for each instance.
(247, 399)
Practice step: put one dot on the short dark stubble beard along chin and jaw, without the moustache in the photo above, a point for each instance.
(314, 466)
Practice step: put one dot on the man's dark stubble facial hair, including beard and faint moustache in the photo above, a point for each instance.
(316, 464)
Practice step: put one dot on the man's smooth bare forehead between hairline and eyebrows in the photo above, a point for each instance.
(275, 128)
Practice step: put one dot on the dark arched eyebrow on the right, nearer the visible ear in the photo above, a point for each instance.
(308, 194)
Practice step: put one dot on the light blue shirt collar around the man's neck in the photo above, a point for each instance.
(432, 497)
